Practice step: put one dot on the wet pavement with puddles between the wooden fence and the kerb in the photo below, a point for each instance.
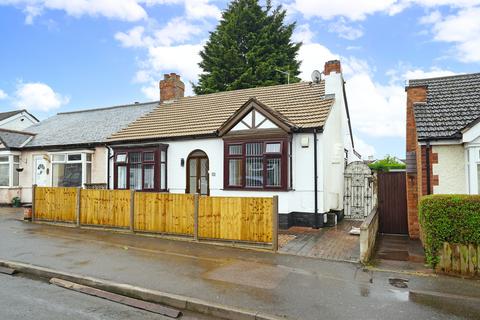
(288, 286)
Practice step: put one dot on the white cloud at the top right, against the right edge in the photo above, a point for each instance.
(462, 29)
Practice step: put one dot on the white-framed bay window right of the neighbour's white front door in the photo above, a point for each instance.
(71, 169)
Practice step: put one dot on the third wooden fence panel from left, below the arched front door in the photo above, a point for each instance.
(164, 213)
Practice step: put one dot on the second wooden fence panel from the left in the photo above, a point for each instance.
(110, 208)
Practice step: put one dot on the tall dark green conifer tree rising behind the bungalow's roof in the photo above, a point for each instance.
(247, 48)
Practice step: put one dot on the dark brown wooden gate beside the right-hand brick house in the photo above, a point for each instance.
(392, 203)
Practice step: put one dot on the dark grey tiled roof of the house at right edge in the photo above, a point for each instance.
(452, 103)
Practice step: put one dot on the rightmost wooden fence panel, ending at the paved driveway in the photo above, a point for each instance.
(233, 218)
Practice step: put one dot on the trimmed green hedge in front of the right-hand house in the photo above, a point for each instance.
(449, 218)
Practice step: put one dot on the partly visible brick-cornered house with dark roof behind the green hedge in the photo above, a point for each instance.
(443, 139)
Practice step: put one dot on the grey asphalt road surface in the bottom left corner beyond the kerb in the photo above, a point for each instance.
(25, 299)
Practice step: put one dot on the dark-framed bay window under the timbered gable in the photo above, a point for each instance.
(257, 164)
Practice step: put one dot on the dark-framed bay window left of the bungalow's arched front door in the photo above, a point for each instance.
(141, 169)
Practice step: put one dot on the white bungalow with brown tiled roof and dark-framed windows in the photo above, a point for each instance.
(288, 140)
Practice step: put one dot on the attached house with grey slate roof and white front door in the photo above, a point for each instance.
(66, 150)
